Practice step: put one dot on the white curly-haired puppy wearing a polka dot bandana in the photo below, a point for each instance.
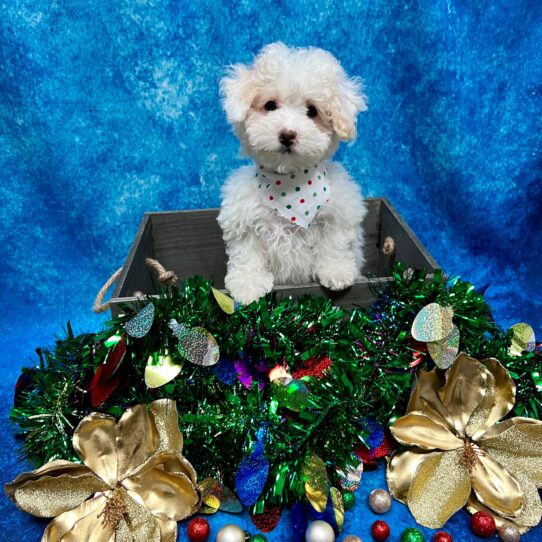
(294, 216)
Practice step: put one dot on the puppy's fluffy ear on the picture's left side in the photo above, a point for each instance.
(238, 92)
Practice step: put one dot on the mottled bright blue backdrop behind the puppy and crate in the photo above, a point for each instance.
(109, 109)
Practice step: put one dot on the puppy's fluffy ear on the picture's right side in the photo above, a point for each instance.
(347, 102)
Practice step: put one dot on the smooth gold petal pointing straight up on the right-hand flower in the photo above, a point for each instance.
(466, 385)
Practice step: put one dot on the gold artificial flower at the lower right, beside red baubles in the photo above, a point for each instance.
(460, 455)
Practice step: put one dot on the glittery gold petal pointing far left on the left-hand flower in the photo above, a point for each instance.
(49, 496)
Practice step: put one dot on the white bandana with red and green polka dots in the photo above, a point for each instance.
(296, 196)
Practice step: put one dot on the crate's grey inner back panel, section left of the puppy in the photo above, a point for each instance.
(190, 243)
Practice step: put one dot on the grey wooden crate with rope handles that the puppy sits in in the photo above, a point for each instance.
(190, 243)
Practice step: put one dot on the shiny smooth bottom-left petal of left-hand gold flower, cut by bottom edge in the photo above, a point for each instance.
(81, 524)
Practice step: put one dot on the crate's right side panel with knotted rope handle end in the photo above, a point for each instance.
(408, 248)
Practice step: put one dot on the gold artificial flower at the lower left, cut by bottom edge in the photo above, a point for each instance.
(134, 485)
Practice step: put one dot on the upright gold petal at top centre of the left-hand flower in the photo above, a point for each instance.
(137, 439)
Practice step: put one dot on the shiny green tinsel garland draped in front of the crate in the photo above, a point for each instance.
(371, 350)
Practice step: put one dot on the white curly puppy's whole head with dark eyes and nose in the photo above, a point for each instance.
(291, 108)
